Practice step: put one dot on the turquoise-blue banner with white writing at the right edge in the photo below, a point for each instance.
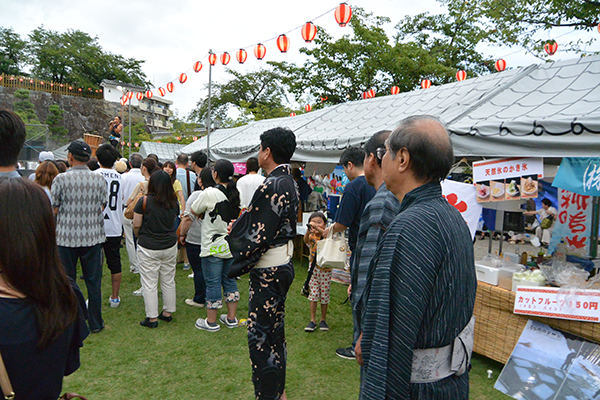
(579, 175)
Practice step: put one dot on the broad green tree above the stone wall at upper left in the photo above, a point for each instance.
(76, 57)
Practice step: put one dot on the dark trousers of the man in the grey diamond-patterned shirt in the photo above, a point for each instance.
(91, 265)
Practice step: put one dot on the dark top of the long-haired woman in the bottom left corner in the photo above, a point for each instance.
(34, 374)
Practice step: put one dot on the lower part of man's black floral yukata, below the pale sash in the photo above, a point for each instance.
(266, 329)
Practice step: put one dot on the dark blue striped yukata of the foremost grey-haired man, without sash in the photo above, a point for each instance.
(420, 294)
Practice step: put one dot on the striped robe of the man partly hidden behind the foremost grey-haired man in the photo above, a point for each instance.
(377, 216)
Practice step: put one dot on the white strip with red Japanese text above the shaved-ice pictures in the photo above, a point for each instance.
(504, 168)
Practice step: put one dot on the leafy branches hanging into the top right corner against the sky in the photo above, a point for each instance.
(527, 23)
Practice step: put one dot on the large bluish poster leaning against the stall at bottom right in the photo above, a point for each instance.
(550, 364)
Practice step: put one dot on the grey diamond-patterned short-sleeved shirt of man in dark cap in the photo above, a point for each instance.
(80, 196)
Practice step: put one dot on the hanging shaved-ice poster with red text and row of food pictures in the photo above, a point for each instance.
(507, 178)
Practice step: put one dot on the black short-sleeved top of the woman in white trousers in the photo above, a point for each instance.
(158, 226)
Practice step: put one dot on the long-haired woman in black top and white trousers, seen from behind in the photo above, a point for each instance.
(153, 220)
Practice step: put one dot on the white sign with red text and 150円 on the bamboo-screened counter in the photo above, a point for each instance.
(576, 304)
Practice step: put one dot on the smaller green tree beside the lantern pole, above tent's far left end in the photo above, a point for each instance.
(256, 95)
